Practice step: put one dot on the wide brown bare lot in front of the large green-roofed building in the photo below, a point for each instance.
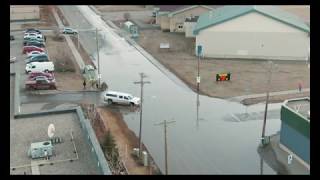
(247, 76)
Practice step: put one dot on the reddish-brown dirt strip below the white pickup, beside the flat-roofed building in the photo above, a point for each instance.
(124, 138)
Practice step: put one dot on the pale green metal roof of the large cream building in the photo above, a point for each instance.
(227, 13)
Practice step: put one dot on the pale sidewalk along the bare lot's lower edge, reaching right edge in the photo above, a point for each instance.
(241, 98)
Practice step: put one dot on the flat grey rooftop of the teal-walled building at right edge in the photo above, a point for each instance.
(300, 106)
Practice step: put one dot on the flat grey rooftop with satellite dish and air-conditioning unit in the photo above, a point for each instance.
(25, 131)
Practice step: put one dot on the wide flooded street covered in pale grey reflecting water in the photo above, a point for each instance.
(222, 140)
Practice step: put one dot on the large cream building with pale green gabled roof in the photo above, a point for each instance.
(252, 32)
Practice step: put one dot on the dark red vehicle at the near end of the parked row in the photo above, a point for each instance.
(40, 82)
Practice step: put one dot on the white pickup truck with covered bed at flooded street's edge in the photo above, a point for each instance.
(121, 98)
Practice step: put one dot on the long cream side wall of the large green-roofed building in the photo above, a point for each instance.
(254, 44)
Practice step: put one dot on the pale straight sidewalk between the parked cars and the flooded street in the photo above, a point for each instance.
(74, 50)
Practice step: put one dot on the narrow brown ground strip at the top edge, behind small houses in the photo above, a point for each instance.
(117, 8)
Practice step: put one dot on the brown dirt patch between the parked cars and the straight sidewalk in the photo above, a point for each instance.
(59, 51)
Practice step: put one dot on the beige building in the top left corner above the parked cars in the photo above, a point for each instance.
(24, 12)
